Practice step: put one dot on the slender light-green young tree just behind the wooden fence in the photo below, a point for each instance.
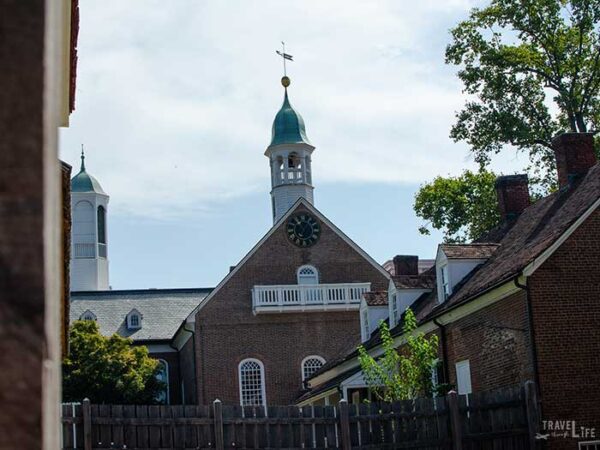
(401, 374)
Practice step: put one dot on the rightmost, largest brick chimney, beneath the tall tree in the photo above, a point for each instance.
(574, 154)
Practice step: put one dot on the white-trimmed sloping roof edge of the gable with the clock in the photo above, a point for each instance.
(316, 212)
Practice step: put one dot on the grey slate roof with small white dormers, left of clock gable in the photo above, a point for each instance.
(163, 310)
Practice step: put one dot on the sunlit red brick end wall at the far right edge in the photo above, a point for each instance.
(565, 295)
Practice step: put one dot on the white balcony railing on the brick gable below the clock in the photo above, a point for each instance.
(317, 297)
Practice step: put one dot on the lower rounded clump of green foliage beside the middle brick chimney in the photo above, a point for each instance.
(462, 207)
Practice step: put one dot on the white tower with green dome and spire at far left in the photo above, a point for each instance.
(89, 256)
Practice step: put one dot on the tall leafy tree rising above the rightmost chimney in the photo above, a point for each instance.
(531, 68)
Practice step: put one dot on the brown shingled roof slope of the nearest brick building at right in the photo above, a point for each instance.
(535, 230)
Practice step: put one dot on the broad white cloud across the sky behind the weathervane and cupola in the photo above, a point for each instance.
(175, 99)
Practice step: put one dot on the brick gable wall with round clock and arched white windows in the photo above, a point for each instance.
(227, 331)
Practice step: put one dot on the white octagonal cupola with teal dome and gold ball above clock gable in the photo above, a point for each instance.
(290, 157)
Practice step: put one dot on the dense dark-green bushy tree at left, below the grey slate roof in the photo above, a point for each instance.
(108, 369)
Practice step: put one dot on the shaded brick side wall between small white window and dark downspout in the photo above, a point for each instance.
(496, 343)
